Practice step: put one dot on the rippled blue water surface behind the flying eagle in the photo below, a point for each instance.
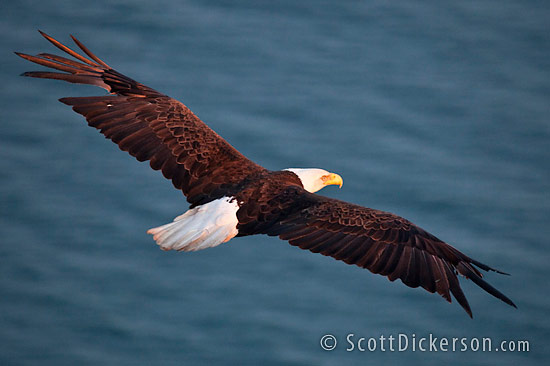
(436, 111)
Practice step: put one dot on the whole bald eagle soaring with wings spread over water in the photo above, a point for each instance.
(231, 196)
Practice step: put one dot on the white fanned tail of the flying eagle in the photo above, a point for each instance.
(199, 228)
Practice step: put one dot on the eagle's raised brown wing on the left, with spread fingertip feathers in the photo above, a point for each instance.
(150, 126)
